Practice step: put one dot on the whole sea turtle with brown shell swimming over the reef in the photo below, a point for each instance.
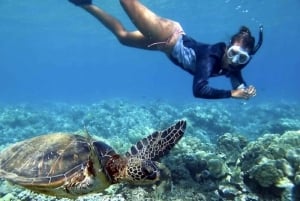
(68, 165)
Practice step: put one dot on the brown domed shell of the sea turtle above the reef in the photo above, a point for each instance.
(56, 163)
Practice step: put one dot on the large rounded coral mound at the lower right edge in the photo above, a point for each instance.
(272, 163)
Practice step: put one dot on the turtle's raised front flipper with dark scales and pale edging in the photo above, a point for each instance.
(158, 143)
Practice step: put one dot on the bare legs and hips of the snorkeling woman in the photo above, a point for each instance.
(154, 32)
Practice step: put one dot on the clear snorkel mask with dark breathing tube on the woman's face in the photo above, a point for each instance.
(240, 56)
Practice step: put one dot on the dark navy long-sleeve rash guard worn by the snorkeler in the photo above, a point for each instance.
(208, 64)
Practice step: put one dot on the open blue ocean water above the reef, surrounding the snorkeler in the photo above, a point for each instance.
(52, 50)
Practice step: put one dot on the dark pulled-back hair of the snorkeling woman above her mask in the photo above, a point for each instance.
(244, 37)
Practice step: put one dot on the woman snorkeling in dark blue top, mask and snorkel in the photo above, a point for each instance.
(201, 60)
